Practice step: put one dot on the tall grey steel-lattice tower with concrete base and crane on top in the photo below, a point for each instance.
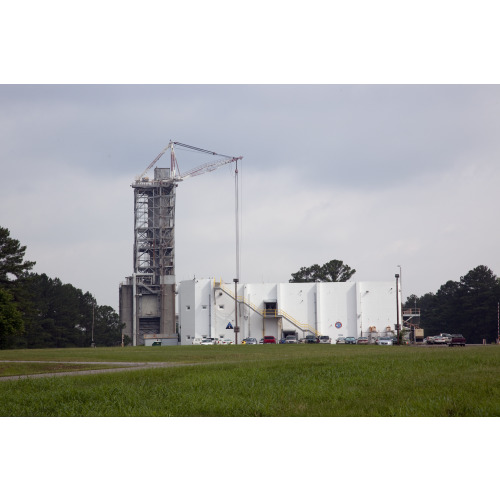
(147, 298)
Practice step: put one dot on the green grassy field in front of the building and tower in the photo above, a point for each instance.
(281, 380)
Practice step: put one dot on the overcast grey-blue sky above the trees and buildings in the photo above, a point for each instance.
(374, 175)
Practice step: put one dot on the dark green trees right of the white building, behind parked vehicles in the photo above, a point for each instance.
(468, 306)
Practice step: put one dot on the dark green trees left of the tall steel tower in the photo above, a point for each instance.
(37, 311)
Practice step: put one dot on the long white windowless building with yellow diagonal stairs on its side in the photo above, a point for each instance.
(206, 308)
